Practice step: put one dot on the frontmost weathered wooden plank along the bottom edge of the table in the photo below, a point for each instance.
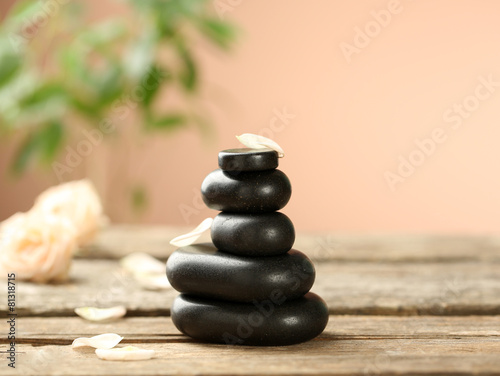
(343, 357)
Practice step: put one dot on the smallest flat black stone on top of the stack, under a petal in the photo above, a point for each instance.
(246, 159)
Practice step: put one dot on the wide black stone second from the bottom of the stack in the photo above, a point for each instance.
(202, 270)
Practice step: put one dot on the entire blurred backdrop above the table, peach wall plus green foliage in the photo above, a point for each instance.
(387, 111)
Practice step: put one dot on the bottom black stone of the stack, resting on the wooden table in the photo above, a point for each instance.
(271, 322)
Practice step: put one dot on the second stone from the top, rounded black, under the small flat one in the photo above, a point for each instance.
(246, 192)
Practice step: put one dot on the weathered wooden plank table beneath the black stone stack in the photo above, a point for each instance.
(398, 304)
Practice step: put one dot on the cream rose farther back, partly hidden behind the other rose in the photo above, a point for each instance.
(78, 202)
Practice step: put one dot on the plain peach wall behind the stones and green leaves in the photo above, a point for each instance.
(422, 75)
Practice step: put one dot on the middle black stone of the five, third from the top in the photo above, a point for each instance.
(265, 234)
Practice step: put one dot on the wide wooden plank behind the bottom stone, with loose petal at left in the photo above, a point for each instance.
(455, 288)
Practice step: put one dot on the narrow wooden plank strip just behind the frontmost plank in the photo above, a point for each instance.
(63, 330)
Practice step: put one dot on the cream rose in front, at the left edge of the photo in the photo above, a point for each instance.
(37, 248)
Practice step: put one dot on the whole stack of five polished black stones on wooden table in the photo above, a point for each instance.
(249, 287)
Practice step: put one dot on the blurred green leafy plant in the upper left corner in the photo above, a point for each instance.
(93, 69)
